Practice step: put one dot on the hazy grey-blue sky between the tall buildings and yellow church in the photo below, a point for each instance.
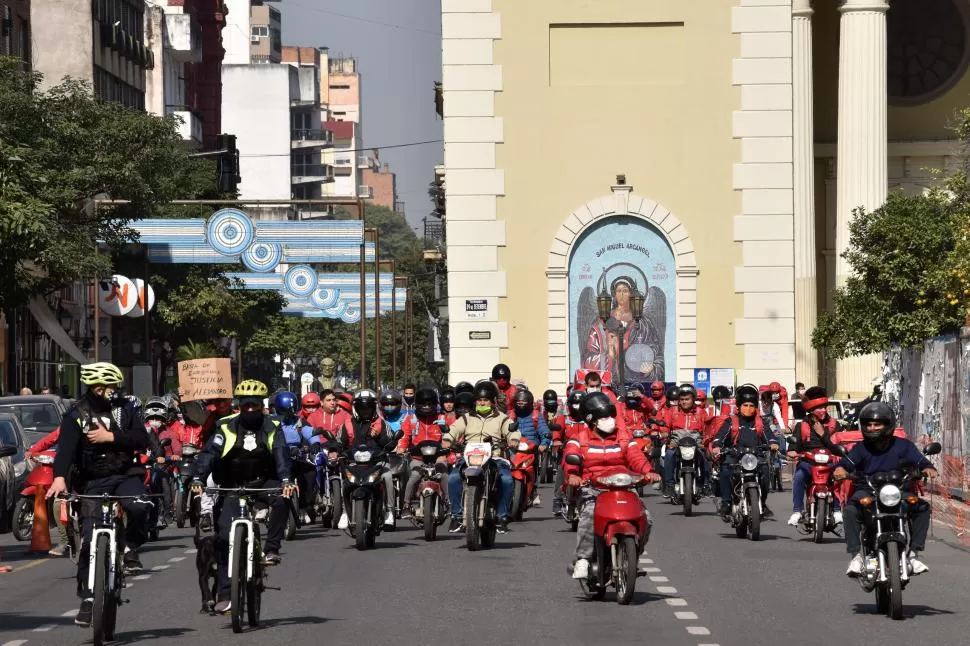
(397, 44)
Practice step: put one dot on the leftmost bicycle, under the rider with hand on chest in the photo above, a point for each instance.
(106, 576)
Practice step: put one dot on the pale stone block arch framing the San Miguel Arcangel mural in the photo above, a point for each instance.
(622, 201)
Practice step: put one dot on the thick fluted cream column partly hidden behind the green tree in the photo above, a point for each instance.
(862, 146)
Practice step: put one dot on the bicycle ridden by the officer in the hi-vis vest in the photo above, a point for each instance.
(247, 573)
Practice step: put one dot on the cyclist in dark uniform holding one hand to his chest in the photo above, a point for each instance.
(100, 437)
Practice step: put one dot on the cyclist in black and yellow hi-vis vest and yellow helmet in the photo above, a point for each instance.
(246, 450)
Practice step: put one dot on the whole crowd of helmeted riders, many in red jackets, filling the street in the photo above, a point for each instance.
(110, 443)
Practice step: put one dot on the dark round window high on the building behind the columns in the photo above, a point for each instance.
(928, 50)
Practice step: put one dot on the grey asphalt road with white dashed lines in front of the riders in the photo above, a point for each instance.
(705, 587)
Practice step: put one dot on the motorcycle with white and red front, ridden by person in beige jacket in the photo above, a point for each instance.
(481, 495)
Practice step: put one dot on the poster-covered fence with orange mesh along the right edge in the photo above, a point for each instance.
(929, 387)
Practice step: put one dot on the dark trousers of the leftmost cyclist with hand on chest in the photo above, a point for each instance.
(136, 526)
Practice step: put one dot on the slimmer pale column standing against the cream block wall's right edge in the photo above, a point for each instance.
(803, 144)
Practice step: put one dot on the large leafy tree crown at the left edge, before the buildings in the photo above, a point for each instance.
(61, 148)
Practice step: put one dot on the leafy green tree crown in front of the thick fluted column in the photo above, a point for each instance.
(898, 292)
